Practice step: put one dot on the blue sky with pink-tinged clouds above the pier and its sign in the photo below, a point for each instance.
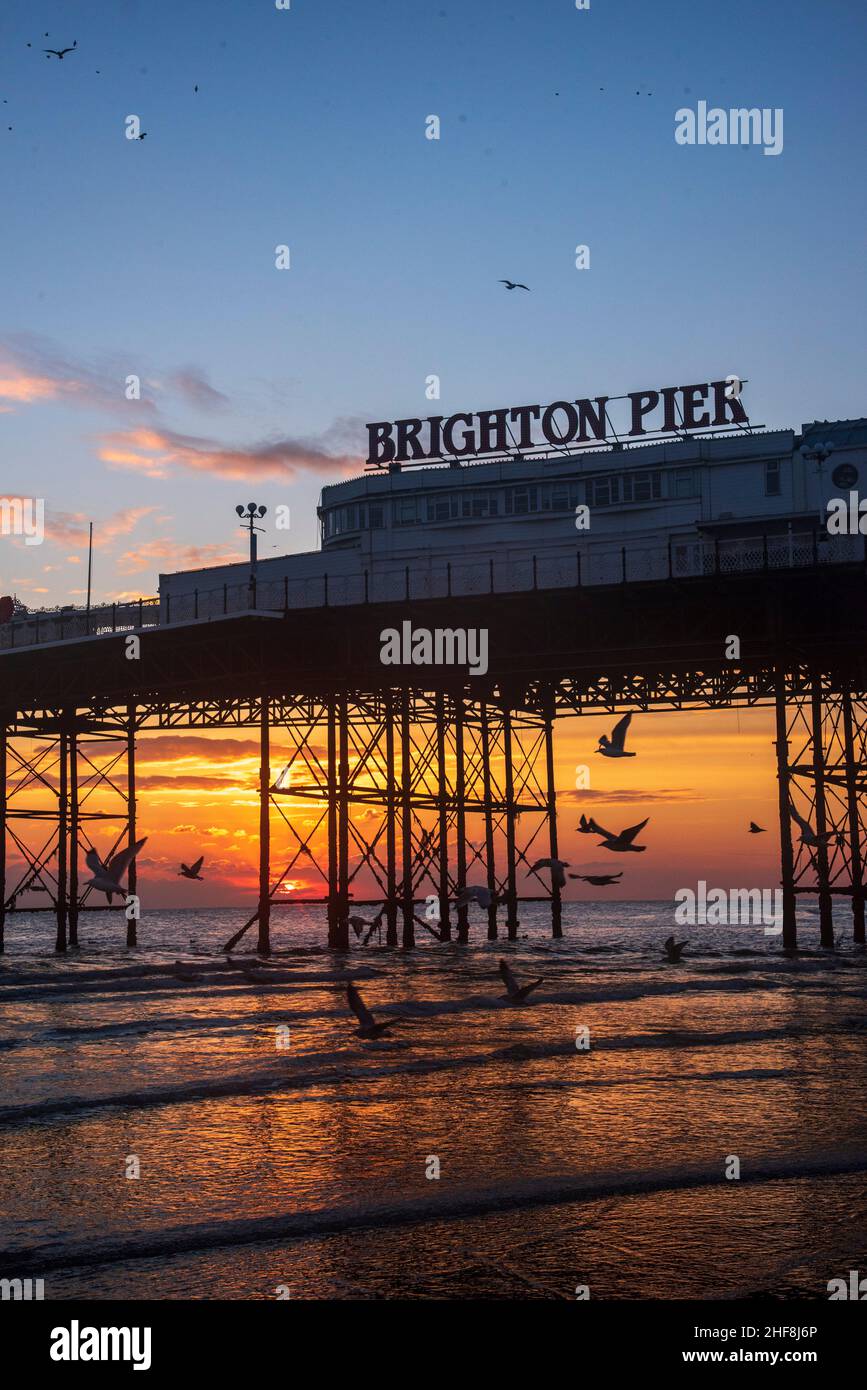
(156, 258)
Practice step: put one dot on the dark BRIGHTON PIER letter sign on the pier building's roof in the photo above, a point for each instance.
(563, 426)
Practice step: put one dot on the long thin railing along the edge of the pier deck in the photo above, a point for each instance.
(586, 566)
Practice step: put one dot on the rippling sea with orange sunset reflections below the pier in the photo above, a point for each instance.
(177, 1124)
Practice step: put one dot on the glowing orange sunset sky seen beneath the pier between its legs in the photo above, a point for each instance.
(700, 776)
